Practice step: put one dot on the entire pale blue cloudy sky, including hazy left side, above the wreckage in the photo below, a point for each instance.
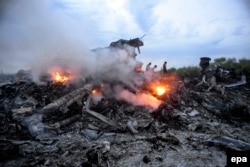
(179, 31)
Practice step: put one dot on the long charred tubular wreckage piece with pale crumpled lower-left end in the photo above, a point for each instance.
(34, 123)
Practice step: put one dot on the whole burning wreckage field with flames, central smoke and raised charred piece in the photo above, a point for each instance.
(120, 115)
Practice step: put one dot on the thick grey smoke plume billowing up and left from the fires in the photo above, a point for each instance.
(40, 36)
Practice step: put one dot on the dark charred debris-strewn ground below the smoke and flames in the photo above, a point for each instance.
(191, 126)
